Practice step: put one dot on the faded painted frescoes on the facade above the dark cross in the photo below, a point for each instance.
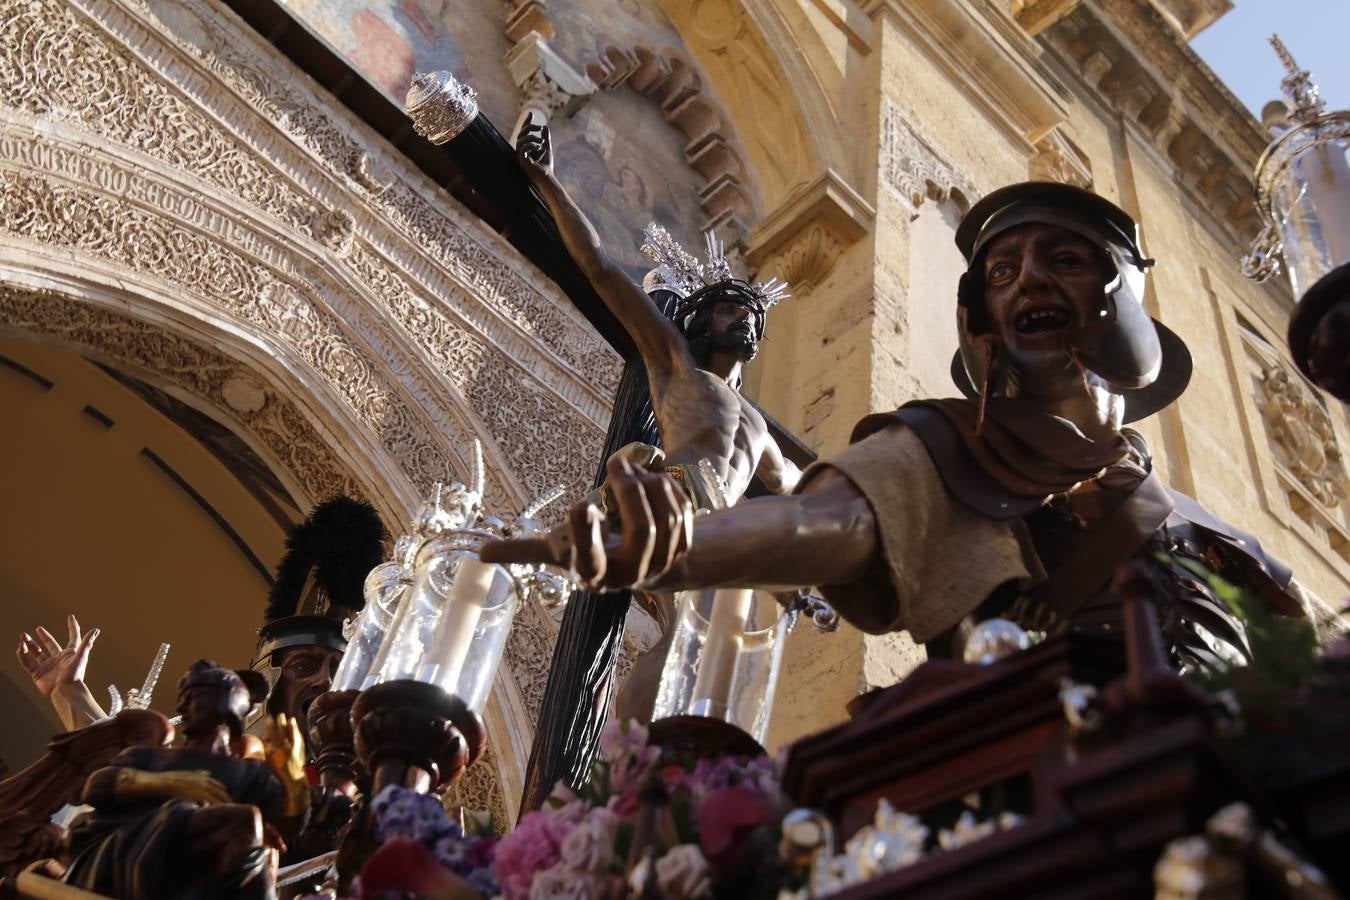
(618, 156)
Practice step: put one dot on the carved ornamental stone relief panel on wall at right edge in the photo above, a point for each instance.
(1303, 437)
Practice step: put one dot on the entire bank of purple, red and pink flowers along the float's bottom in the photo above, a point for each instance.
(647, 824)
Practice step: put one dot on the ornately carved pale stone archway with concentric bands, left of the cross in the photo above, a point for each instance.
(160, 165)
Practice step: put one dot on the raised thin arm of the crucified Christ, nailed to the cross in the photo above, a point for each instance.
(658, 341)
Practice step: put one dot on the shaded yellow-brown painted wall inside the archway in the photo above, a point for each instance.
(94, 527)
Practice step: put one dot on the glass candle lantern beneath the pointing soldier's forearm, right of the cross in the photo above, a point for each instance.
(724, 659)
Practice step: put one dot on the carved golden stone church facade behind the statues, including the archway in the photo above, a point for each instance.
(165, 172)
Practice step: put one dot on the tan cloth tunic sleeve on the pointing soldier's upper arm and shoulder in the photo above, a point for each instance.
(940, 558)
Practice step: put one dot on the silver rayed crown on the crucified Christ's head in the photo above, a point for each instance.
(699, 283)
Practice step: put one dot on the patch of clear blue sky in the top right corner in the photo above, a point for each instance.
(1316, 32)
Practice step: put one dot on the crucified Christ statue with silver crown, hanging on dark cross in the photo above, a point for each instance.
(693, 370)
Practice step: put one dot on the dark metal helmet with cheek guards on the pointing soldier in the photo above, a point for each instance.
(1137, 356)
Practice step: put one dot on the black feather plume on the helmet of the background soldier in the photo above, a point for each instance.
(345, 539)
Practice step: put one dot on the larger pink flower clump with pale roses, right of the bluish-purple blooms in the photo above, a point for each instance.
(649, 825)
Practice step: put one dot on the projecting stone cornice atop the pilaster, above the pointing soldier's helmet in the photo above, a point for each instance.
(985, 52)
